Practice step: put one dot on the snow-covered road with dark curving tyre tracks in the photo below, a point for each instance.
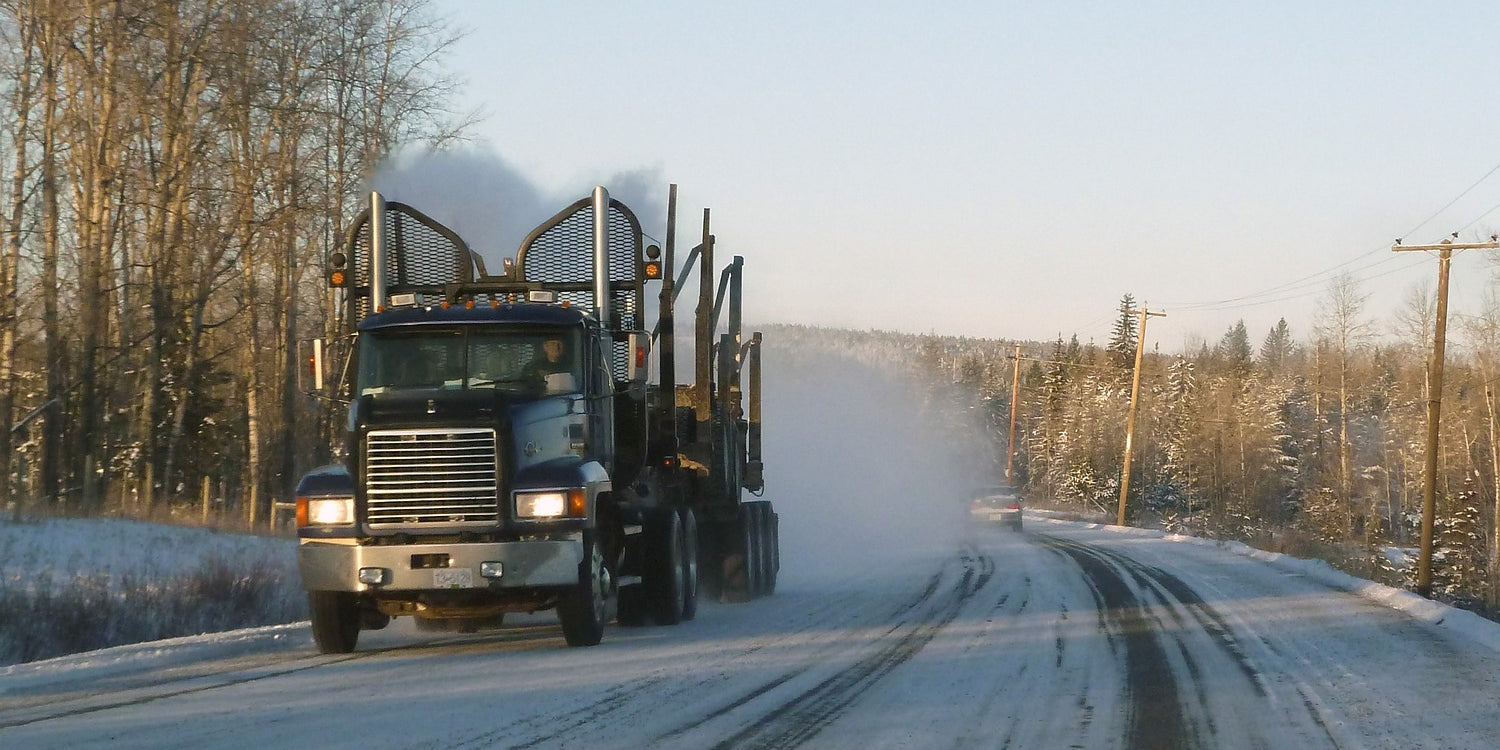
(1063, 637)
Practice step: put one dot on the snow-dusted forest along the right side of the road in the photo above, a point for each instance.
(1310, 443)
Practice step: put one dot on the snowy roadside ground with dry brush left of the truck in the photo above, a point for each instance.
(86, 584)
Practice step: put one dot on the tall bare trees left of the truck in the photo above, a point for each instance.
(175, 176)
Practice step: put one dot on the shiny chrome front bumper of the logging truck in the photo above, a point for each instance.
(440, 568)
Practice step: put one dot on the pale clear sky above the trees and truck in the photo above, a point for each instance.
(1010, 170)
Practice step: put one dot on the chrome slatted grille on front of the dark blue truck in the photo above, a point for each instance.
(428, 478)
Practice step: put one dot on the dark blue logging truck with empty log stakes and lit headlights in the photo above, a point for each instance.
(505, 448)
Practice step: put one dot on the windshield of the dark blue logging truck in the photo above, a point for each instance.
(529, 362)
